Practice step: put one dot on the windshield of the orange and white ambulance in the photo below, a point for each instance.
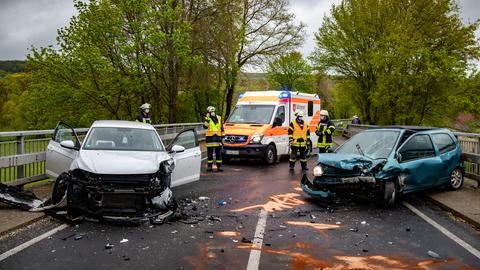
(252, 114)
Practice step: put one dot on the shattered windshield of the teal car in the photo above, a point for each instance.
(372, 144)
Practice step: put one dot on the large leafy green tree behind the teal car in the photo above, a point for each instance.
(401, 58)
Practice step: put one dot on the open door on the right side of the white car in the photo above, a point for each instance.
(188, 162)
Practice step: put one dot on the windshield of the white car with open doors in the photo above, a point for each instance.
(123, 139)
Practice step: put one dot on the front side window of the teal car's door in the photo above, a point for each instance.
(419, 146)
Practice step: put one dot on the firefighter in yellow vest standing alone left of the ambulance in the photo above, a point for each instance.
(213, 137)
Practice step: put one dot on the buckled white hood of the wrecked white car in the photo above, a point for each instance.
(119, 162)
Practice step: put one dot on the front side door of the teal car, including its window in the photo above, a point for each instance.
(419, 162)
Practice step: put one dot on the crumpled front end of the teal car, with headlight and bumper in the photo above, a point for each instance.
(346, 175)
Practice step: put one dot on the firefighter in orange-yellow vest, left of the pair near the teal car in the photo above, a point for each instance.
(298, 136)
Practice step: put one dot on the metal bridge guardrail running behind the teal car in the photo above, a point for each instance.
(469, 142)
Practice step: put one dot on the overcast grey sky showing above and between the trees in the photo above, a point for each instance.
(24, 23)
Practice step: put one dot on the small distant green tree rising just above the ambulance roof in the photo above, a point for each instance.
(292, 72)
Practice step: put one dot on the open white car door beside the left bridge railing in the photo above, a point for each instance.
(59, 158)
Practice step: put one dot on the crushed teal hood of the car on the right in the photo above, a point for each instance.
(345, 161)
